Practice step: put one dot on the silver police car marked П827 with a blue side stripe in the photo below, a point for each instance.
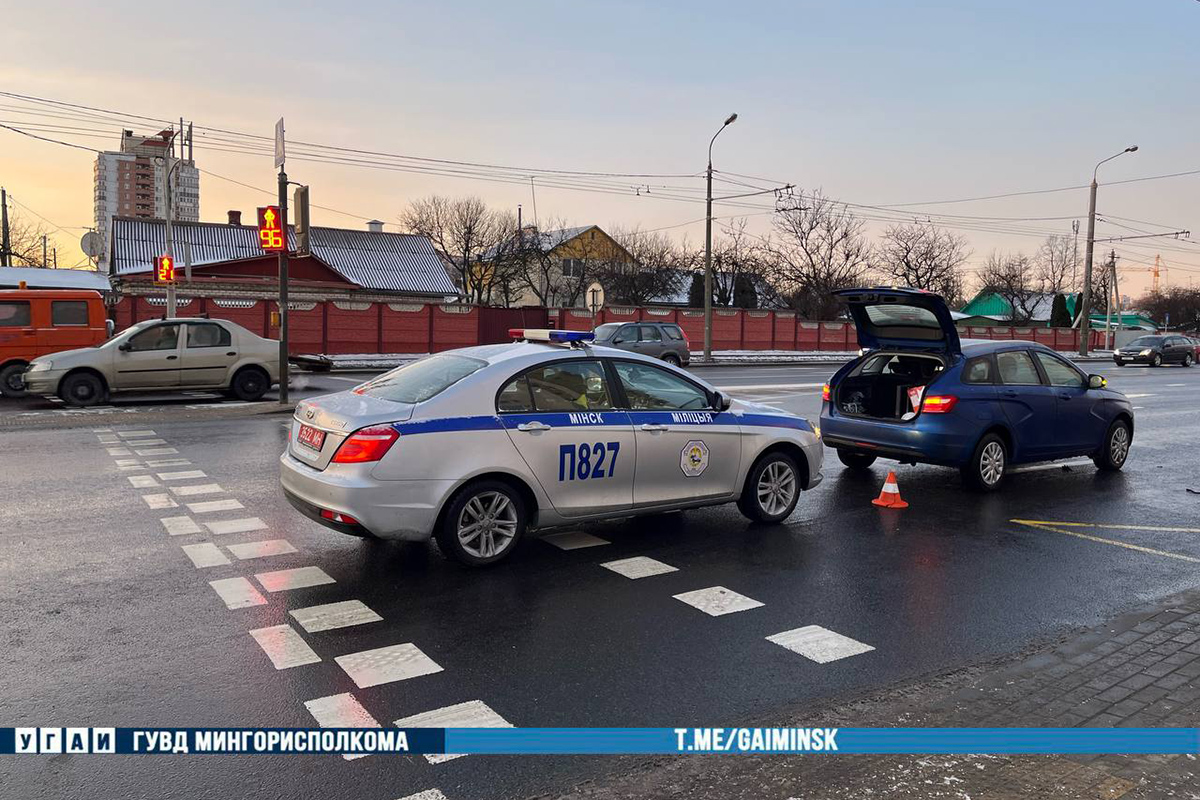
(476, 447)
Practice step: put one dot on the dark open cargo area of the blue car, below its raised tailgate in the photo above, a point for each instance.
(887, 386)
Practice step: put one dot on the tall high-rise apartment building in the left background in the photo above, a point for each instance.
(131, 182)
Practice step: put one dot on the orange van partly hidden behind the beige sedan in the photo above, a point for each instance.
(40, 322)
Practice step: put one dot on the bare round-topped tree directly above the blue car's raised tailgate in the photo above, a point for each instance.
(922, 256)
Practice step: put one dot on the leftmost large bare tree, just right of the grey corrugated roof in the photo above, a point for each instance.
(464, 230)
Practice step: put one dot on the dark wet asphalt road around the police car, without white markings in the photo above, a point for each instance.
(109, 623)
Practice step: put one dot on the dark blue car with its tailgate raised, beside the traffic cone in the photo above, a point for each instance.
(921, 395)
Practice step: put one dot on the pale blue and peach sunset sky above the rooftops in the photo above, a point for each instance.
(875, 103)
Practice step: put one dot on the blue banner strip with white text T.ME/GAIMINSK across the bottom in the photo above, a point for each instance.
(608, 742)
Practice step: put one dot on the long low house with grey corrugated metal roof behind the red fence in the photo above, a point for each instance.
(351, 261)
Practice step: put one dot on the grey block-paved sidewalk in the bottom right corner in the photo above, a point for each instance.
(1142, 670)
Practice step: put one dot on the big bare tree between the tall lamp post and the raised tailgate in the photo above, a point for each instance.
(819, 248)
